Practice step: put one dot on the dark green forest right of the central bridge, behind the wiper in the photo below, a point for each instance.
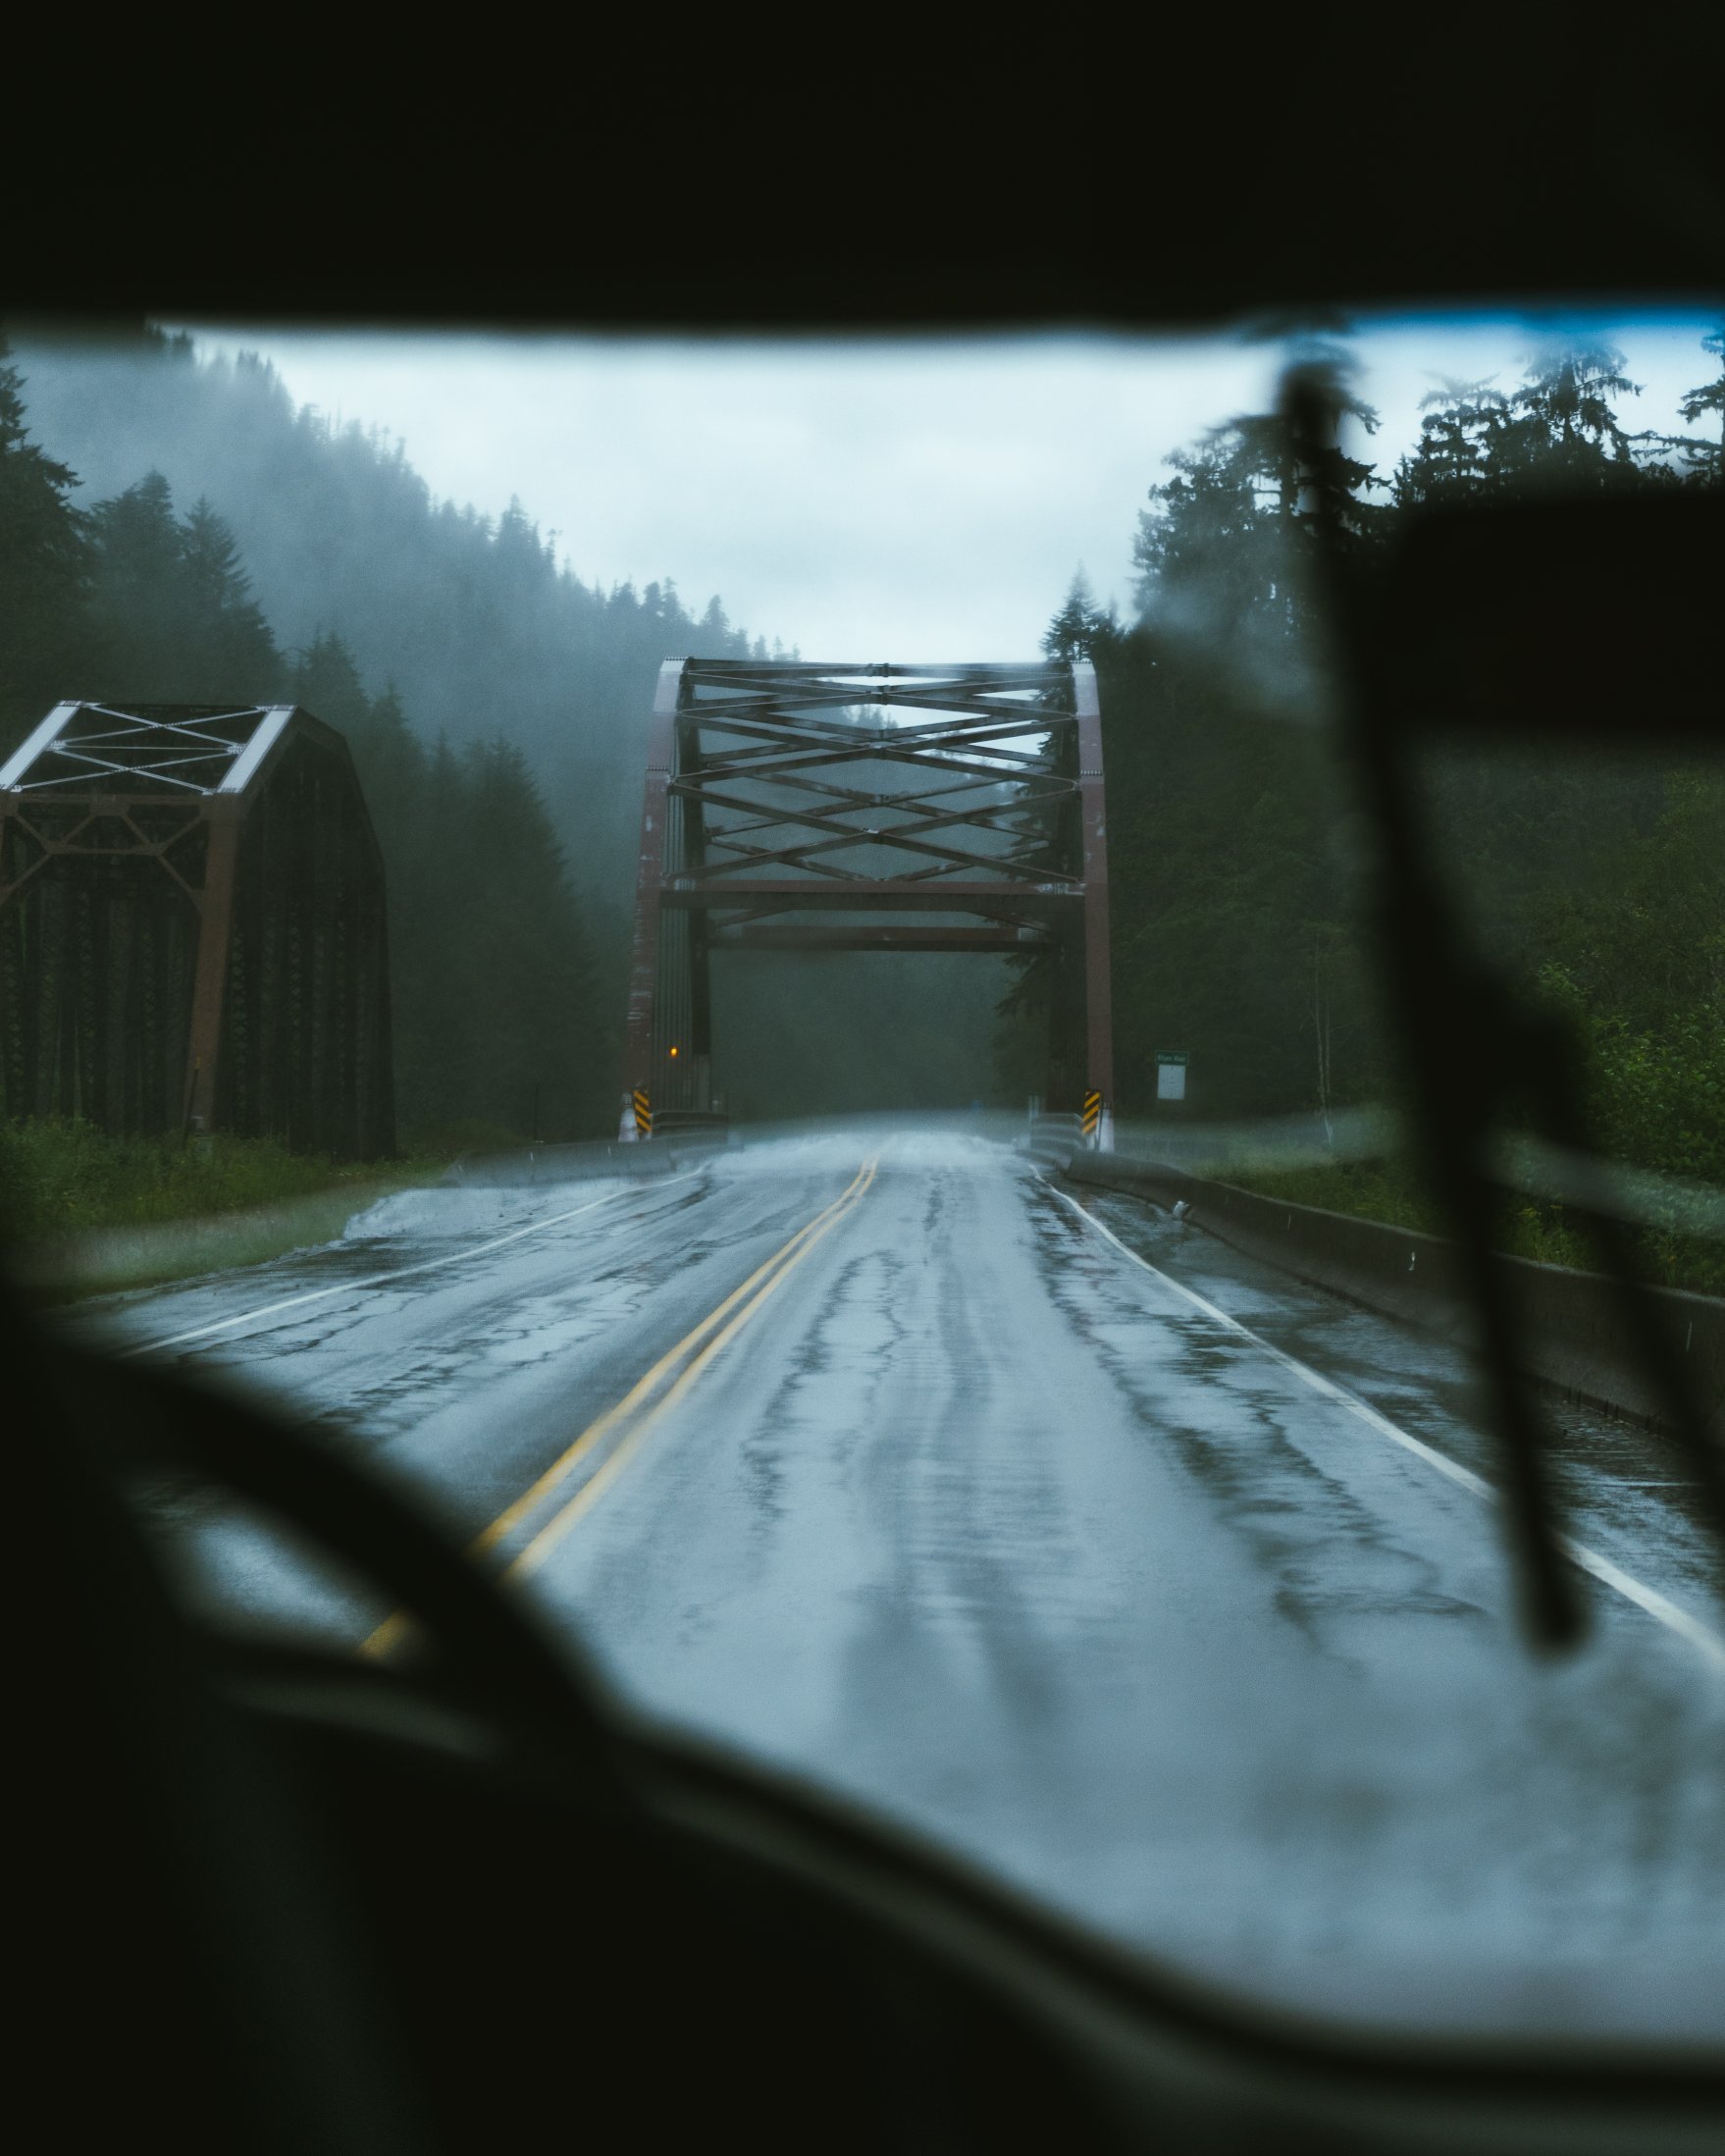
(1234, 881)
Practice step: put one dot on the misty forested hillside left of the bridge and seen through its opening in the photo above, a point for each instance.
(223, 542)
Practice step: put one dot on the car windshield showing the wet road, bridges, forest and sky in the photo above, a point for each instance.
(758, 971)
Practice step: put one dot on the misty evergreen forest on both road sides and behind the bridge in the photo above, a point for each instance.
(223, 544)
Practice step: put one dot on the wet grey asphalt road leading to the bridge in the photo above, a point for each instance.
(969, 1517)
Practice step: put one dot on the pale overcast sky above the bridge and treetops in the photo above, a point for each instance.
(911, 501)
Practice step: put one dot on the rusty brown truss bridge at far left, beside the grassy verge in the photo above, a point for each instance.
(193, 928)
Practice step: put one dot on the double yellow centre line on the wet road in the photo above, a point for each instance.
(641, 1409)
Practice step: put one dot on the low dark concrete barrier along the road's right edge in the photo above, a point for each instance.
(1569, 1323)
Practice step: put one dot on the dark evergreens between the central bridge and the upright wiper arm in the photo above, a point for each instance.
(1228, 870)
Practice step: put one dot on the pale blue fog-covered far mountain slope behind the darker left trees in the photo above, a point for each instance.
(469, 618)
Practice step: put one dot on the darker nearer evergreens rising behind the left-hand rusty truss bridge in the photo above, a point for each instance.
(501, 1023)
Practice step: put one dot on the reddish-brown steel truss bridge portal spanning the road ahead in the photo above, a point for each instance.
(797, 807)
